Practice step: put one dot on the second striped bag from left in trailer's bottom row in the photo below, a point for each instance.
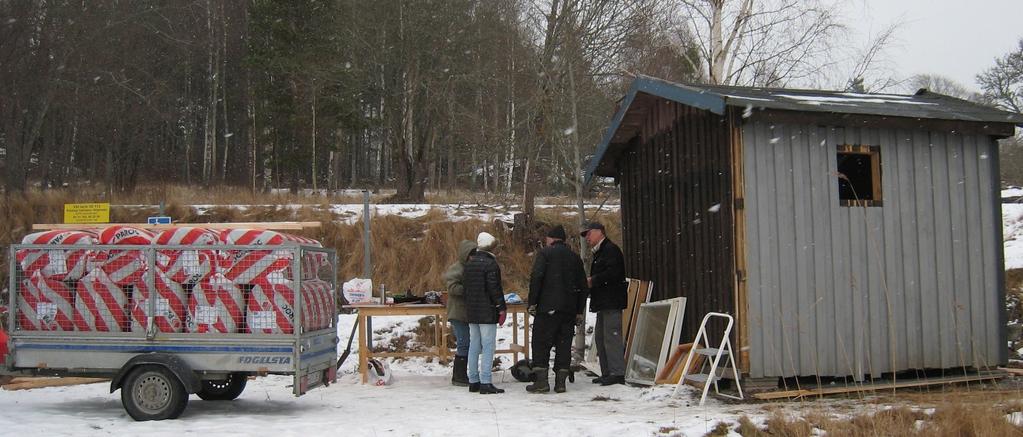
(100, 304)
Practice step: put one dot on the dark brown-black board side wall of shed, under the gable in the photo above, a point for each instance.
(675, 172)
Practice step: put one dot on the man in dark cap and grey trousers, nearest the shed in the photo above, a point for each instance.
(608, 296)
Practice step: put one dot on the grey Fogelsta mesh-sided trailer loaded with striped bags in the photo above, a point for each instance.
(166, 322)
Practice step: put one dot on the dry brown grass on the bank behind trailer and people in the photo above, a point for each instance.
(408, 254)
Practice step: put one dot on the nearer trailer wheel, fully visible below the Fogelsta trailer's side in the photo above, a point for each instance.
(154, 394)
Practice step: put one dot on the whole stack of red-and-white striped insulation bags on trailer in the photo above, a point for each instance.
(215, 290)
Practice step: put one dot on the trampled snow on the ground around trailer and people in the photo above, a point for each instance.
(421, 402)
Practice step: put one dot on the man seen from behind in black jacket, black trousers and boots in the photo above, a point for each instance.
(557, 298)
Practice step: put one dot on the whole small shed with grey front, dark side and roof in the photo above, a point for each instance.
(850, 235)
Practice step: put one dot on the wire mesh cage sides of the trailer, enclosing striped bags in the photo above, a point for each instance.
(172, 289)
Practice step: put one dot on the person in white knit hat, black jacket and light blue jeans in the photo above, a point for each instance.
(485, 310)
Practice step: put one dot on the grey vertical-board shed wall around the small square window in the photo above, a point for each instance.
(839, 291)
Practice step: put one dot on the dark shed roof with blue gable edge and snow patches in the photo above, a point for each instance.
(717, 99)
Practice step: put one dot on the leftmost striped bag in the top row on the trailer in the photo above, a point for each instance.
(69, 265)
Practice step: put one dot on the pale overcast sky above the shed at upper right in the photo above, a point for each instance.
(953, 38)
